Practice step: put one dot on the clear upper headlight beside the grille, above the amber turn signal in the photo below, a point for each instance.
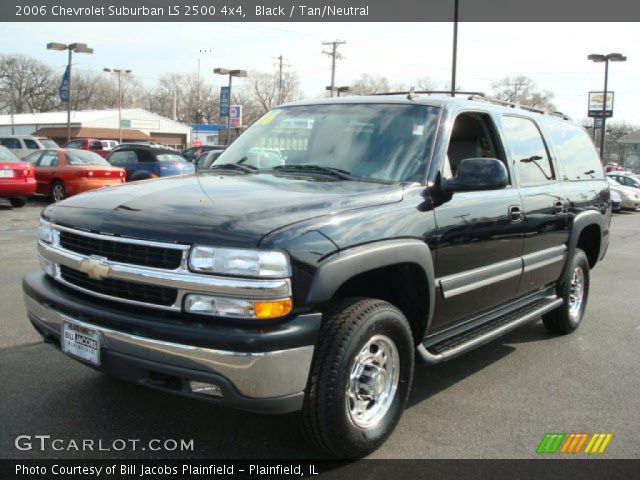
(244, 262)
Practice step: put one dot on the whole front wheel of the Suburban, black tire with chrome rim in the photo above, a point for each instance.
(356, 337)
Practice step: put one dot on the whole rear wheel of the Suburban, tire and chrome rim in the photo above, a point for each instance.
(566, 318)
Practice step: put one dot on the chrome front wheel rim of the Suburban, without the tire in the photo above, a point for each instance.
(373, 382)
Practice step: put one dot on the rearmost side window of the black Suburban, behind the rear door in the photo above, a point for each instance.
(576, 152)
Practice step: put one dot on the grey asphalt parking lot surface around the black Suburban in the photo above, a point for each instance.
(495, 402)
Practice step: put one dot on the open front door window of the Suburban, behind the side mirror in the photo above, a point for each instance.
(473, 136)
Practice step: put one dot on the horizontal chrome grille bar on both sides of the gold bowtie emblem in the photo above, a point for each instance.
(178, 279)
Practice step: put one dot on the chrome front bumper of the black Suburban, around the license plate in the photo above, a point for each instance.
(257, 375)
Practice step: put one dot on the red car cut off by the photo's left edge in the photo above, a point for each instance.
(17, 178)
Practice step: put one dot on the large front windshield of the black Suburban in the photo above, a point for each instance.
(376, 141)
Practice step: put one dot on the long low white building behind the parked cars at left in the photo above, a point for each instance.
(137, 125)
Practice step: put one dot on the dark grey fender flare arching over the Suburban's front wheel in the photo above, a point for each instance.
(340, 267)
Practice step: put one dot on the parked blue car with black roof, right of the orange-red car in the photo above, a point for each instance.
(144, 161)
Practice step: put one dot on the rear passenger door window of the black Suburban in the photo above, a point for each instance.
(528, 151)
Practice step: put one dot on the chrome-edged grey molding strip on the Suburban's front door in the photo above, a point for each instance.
(464, 282)
